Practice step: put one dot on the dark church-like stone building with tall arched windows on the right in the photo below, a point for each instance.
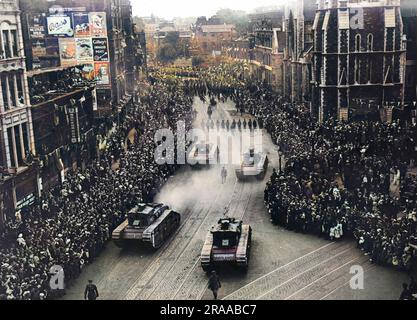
(359, 58)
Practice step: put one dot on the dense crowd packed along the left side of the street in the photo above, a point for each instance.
(70, 225)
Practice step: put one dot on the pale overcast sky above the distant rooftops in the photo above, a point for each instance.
(194, 8)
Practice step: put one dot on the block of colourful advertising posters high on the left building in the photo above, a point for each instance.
(76, 37)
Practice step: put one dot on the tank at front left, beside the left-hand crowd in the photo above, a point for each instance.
(150, 224)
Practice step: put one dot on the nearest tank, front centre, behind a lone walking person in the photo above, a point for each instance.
(228, 243)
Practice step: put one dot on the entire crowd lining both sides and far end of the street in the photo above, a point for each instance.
(338, 180)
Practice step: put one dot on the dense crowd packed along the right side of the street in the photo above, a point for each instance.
(340, 178)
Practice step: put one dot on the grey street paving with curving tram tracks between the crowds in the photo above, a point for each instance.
(284, 264)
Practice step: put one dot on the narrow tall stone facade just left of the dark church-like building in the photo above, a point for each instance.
(298, 24)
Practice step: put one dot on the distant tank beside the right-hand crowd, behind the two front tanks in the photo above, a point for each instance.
(253, 165)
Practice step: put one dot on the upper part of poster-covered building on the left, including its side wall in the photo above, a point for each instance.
(93, 33)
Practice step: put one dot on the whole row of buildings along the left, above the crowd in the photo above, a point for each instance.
(68, 70)
